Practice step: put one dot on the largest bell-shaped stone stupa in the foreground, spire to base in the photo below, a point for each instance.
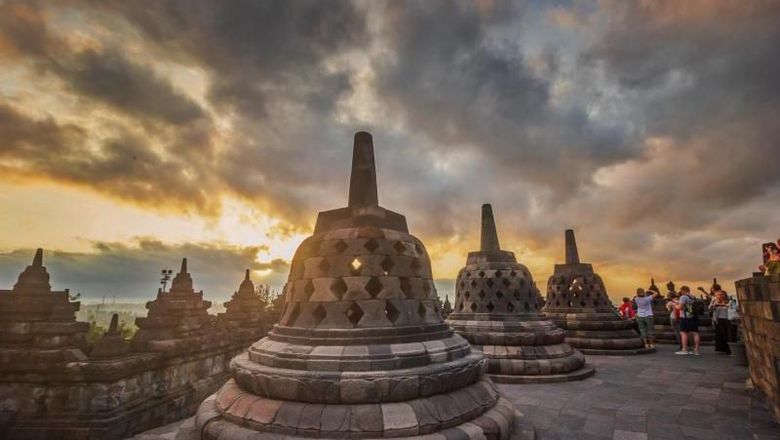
(361, 350)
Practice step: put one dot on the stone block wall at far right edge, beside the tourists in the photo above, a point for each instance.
(759, 303)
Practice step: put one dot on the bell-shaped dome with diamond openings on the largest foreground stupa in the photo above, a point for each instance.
(365, 277)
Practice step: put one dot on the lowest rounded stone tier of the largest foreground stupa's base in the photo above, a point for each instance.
(474, 412)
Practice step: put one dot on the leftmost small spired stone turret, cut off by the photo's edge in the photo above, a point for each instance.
(38, 327)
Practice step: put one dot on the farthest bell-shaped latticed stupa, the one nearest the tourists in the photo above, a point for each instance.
(577, 301)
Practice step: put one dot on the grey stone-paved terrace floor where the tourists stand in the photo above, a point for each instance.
(659, 396)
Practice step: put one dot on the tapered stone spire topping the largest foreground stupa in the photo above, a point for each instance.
(362, 183)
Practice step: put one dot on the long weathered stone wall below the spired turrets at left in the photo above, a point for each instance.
(111, 399)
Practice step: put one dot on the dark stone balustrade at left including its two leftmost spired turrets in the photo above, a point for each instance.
(54, 385)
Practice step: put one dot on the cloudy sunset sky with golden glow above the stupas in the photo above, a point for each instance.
(133, 134)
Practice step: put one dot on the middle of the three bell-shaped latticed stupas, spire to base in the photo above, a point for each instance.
(497, 311)
